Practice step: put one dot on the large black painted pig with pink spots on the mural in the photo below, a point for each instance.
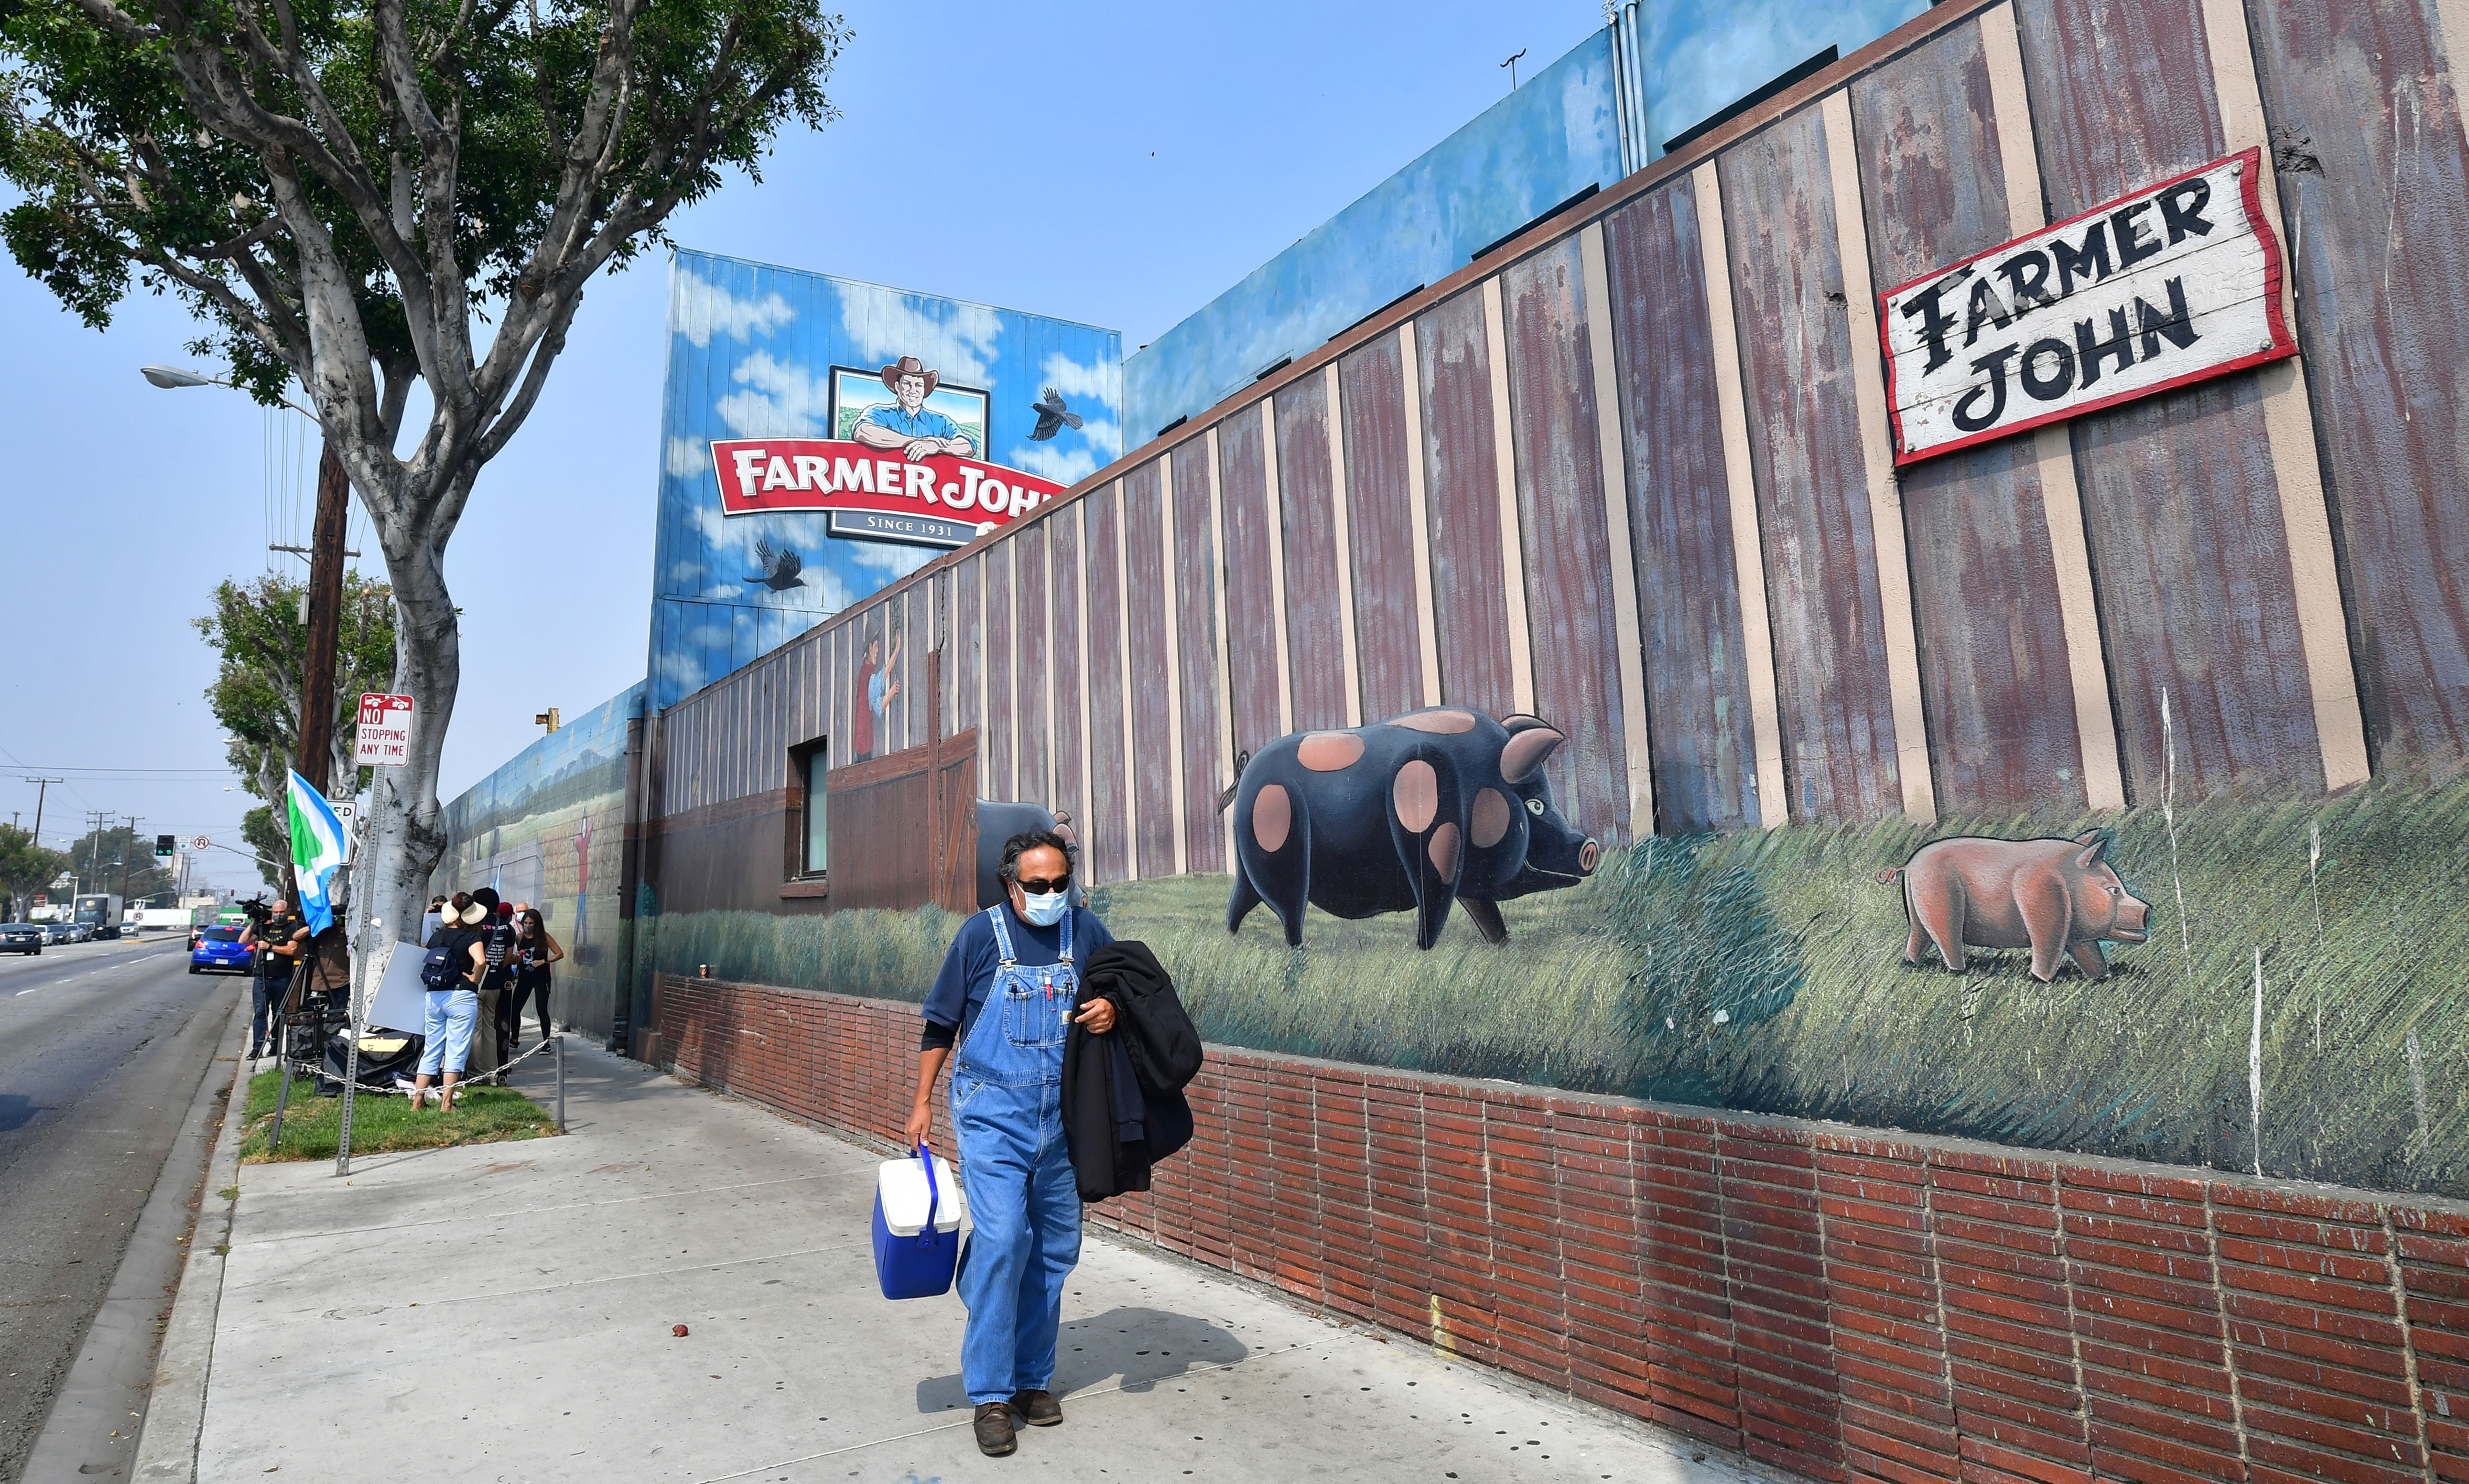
(1404, 816)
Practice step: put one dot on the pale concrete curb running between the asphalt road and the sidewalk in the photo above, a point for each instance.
(177, 1404)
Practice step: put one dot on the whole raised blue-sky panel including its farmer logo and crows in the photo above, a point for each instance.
(823, 438)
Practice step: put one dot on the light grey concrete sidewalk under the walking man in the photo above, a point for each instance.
(505, 1312)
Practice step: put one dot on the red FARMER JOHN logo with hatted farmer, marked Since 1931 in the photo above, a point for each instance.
(900, 468)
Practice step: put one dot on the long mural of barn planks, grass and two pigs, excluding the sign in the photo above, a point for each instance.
(2092, 789)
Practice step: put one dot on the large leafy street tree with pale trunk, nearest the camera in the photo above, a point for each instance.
(352, 194)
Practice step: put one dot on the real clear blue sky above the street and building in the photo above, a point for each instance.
(1125, 167)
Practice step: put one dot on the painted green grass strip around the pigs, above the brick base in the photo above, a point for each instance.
(1764, 972)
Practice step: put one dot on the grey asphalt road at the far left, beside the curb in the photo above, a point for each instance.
(102, 1048)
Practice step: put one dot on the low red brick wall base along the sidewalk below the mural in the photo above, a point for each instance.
(1821, 1298)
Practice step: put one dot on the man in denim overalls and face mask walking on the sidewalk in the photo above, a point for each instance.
(1006, 999)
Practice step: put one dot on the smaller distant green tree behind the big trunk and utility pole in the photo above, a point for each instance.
(258, 633)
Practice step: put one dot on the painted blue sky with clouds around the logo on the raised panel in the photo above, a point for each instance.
(752, 352)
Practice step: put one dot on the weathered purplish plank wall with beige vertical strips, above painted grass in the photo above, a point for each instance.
(1631, 473)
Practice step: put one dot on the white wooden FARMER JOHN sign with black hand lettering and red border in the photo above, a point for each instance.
(2164, 288)
